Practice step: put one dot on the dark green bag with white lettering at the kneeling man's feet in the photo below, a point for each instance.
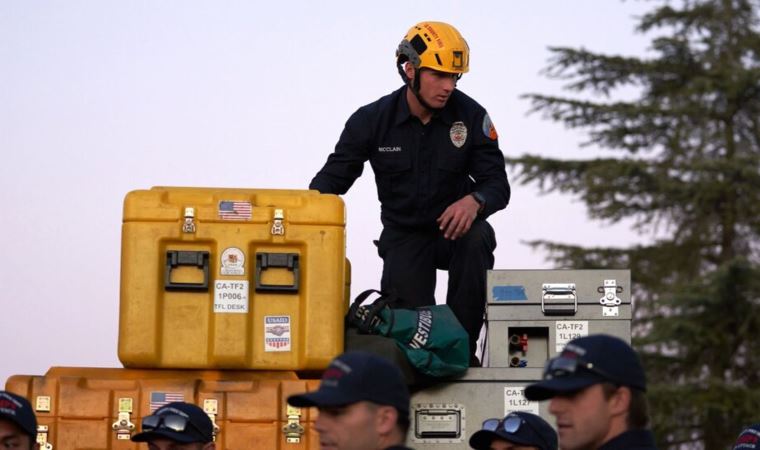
(432, 338)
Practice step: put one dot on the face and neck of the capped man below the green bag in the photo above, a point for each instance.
(350, 427)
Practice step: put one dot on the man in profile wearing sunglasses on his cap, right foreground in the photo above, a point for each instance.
(597, 390)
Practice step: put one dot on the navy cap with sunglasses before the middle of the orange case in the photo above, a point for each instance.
(179, 422)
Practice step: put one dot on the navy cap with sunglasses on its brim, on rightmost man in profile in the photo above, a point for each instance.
(589, 360)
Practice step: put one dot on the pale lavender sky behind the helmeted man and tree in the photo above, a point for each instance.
(98, 98)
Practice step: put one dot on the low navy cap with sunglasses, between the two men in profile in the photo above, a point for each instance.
(518, 427)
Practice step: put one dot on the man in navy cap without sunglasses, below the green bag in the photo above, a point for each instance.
(363, 404)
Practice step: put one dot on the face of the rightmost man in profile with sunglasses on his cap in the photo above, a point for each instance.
(583, 418)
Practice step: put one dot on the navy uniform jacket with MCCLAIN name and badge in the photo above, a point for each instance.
(419, 169)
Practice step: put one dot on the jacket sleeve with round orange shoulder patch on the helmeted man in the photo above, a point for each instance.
(487, 167)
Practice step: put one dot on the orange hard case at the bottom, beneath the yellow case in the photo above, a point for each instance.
(91, 408)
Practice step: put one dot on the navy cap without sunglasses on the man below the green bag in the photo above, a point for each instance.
(358, 376)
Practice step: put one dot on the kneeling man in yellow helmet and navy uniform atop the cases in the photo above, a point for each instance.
(439, 175)
